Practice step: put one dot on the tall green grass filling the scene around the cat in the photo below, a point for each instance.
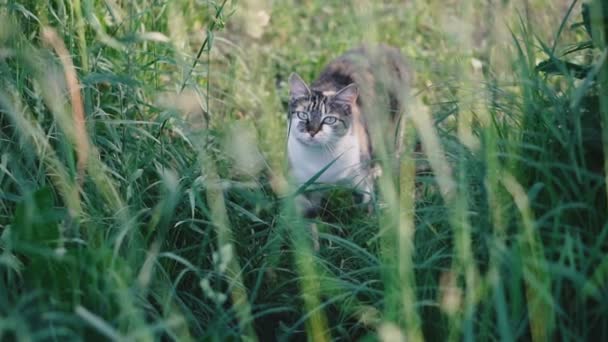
(166, 214)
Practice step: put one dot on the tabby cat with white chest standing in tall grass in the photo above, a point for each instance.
(330, 123)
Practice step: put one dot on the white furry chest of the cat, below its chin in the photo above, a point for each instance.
(306, 161)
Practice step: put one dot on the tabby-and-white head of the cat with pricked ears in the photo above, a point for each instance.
(318, 118)
